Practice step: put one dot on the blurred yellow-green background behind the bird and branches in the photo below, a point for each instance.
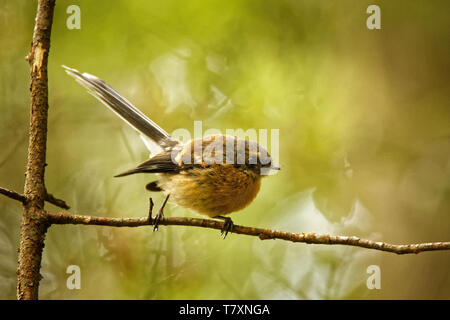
(364, 144)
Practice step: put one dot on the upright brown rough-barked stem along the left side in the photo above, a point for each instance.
(34, 220)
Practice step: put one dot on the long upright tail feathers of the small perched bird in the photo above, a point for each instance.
(122, 107)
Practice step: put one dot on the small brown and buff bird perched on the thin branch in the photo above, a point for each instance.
(214, 176)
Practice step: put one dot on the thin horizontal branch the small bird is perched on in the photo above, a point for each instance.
(263, 234)
